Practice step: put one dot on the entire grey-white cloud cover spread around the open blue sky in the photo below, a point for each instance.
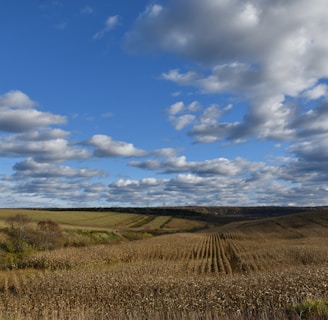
(267, 57)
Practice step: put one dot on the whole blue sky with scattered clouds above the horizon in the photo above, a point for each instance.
(163, 103)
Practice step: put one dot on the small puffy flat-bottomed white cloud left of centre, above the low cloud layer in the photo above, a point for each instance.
(105, 146)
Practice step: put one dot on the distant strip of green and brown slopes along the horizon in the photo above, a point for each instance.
(314, 221)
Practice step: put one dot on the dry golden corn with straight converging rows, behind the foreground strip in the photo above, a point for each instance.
(197, 253)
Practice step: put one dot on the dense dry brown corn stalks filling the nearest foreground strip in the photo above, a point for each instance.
(141, 291)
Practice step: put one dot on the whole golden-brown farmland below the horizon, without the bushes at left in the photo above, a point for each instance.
(259, 268)
